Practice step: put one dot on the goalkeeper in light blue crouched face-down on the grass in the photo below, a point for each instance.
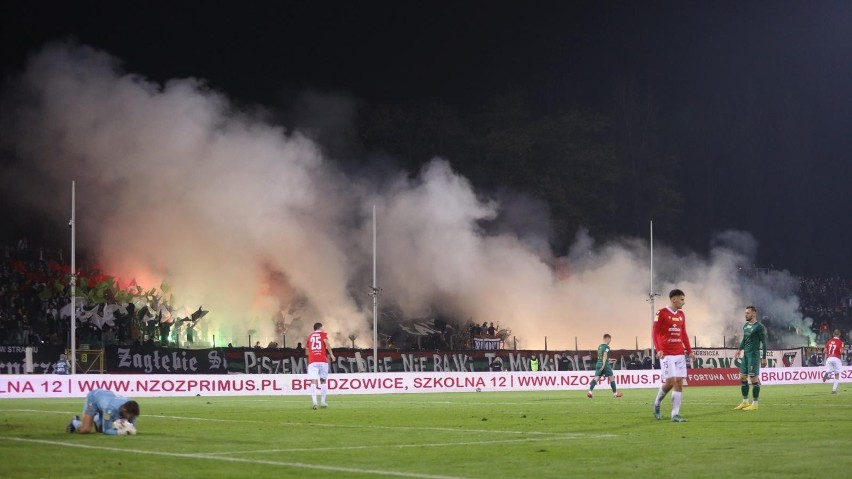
(108, 413)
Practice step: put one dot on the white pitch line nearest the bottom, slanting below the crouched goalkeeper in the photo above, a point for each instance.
(297, 465)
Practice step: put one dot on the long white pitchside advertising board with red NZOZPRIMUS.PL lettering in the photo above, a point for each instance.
(146, 385)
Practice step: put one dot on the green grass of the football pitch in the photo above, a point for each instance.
(799, 431)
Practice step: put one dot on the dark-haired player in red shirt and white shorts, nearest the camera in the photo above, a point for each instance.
(671, 341)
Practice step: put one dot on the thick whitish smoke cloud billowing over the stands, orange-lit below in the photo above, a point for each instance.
(243, 217)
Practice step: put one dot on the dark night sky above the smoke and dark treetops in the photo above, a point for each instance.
(759, 93)
